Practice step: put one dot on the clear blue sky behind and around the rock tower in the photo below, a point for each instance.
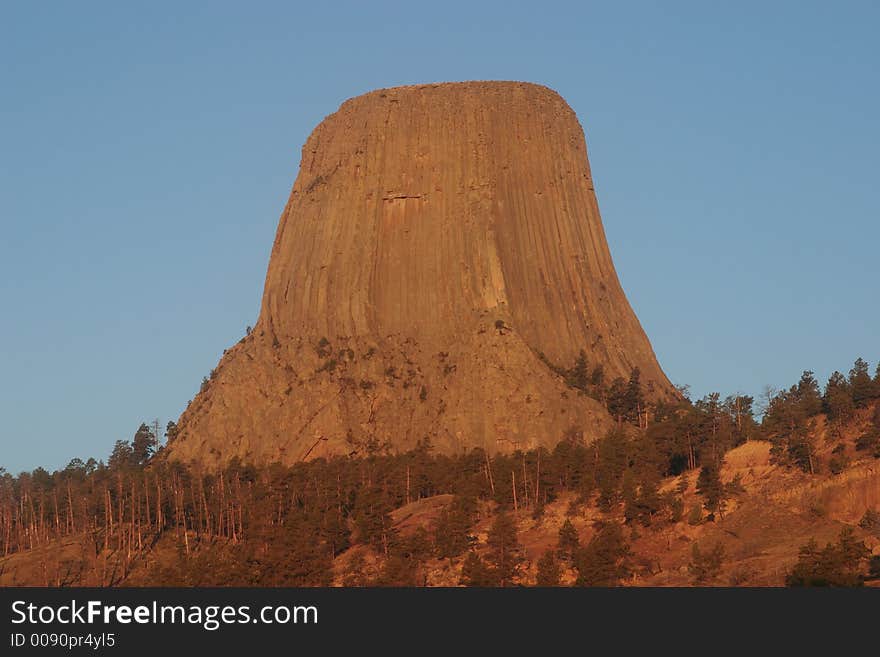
(147, 151)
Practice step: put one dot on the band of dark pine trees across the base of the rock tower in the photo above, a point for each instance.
(284, 525)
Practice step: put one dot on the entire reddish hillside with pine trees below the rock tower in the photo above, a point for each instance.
(589, 514)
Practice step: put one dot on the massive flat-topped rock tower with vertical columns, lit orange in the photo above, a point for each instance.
(442, 244)
